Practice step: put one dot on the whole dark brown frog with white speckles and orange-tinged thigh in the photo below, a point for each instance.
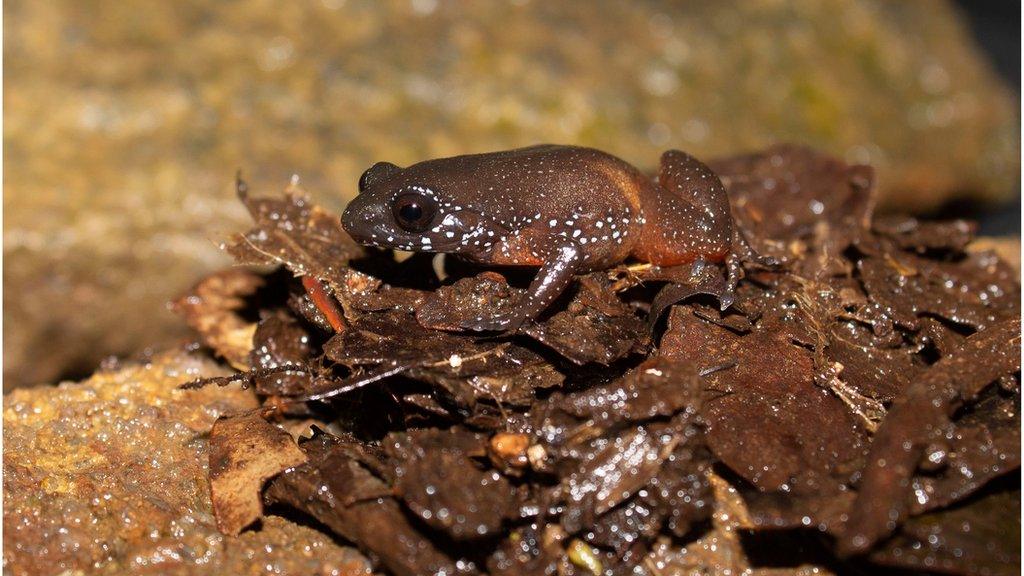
(569, 211)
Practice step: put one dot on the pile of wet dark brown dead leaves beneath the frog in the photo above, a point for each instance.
(868, 391)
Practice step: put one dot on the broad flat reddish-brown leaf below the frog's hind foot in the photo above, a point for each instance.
(771, 423)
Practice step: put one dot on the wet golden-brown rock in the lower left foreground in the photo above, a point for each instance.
(109, 476)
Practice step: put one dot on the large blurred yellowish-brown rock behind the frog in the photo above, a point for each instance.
(125, 121)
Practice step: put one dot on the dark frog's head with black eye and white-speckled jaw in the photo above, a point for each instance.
(417, 210)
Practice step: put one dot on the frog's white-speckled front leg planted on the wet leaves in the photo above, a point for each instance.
(557, 273)
